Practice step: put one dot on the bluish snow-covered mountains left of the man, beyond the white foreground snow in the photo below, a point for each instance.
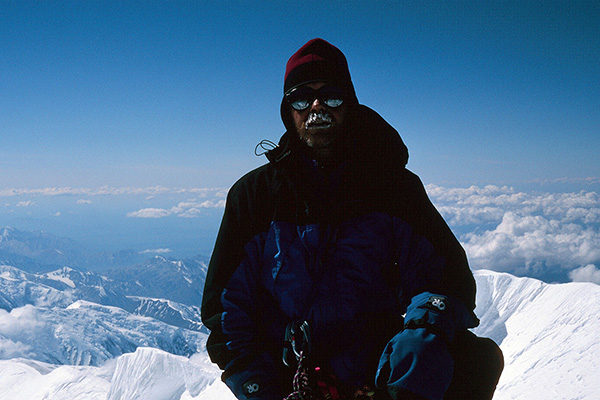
(70, 317)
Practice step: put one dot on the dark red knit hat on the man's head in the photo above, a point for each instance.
(319, 61)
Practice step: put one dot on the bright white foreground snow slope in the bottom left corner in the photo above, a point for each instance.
(146, 374)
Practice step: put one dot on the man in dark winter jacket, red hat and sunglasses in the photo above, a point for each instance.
(333, 276)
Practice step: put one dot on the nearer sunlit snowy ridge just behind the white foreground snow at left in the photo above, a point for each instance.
(87, 334)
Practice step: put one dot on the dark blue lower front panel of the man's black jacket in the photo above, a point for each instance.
(334, 277)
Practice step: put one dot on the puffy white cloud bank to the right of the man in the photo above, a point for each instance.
(546, 235)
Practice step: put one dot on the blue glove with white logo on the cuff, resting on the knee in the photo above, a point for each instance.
(417, 359)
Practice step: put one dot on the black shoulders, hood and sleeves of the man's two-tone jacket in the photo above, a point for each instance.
(369, 178)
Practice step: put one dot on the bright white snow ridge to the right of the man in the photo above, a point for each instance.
(548, 334)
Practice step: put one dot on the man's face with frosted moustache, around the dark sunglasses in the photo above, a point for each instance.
(318, 125)
